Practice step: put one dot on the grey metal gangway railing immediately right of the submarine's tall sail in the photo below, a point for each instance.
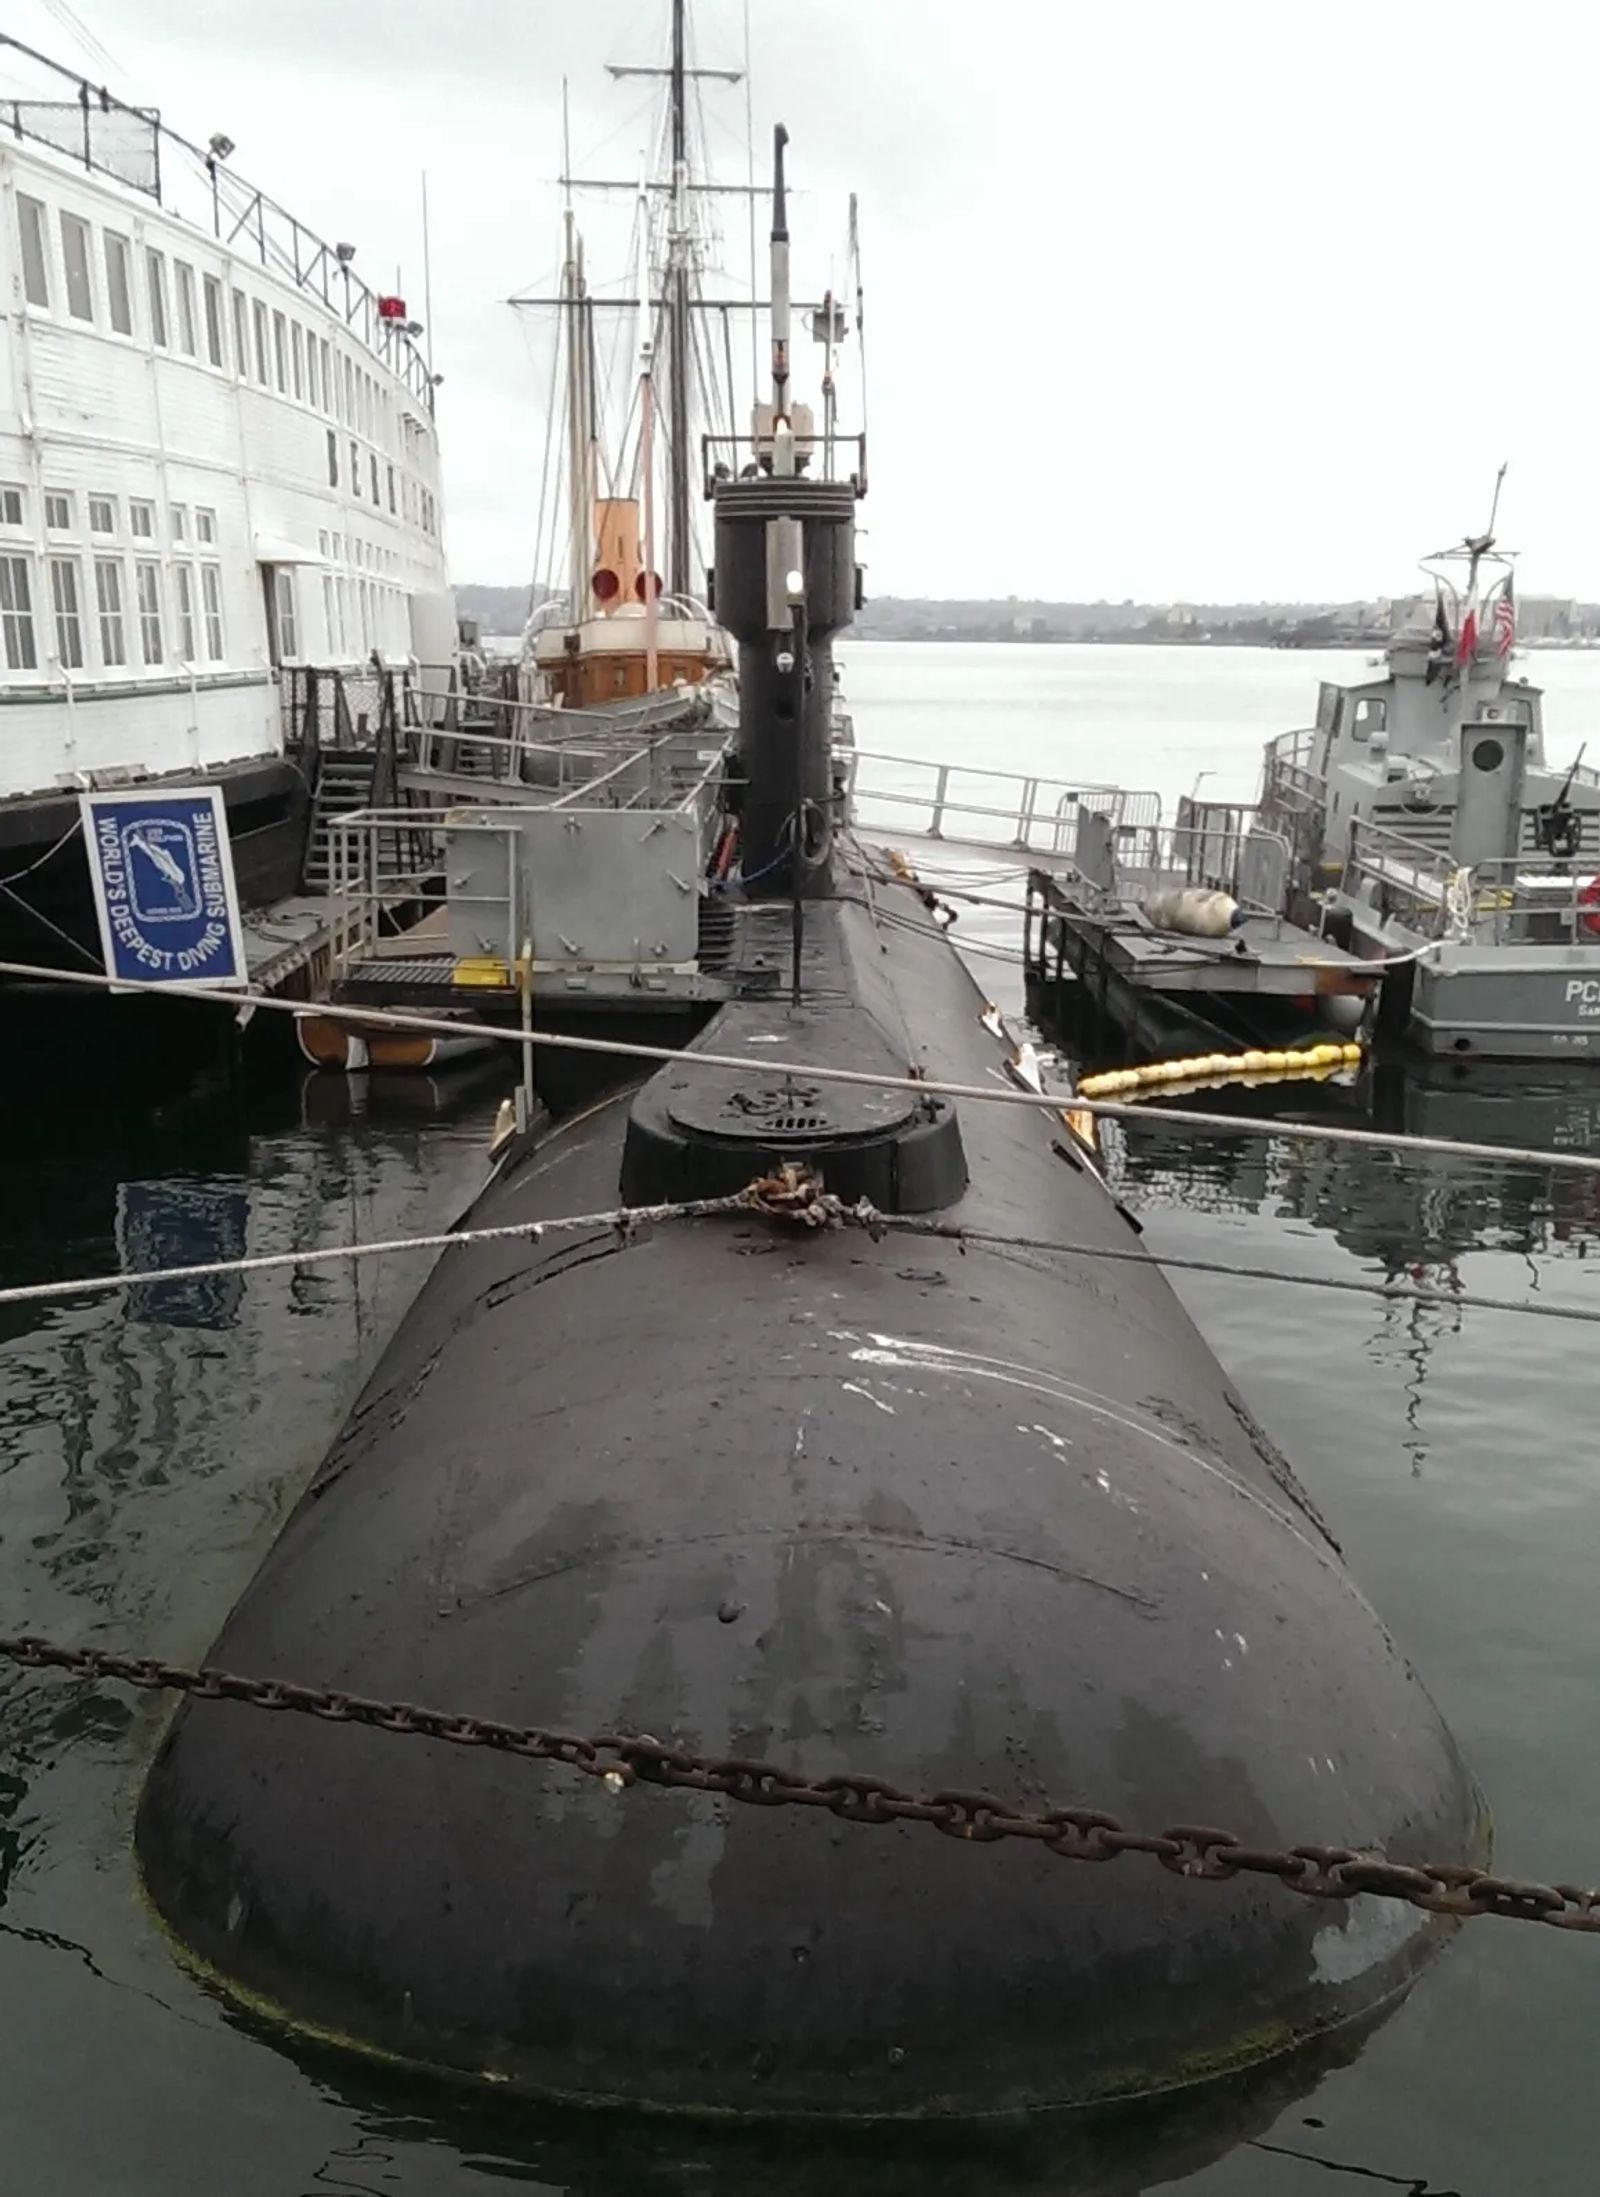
(1010, 812)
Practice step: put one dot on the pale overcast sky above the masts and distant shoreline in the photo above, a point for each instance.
(1164, 300)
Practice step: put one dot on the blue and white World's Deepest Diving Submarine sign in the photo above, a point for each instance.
(164, 886)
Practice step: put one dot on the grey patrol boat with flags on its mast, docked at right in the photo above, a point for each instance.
(1430, 832)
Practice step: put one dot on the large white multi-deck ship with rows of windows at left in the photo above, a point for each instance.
(219, 498)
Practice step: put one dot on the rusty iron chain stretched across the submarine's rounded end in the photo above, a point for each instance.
(1091, 1836)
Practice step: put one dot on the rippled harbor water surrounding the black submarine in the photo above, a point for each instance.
(153, 1442)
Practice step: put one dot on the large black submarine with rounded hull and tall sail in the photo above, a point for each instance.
(845, 1499)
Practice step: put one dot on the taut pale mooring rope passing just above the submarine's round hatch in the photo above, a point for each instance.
(858, 1078)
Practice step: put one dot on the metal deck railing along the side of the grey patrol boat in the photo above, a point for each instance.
(1511, 900)
